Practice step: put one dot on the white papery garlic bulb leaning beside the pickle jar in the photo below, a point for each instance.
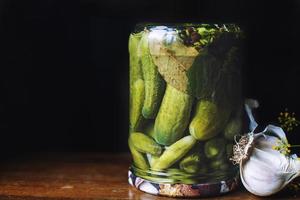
(264, 170)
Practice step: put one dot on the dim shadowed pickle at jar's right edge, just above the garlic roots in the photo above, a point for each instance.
(234, 127)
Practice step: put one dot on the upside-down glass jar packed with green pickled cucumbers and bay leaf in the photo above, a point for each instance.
(185, 108)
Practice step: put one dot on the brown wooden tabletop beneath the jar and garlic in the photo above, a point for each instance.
(81, 176)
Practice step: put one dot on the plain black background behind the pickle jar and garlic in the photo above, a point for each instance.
(64, 66)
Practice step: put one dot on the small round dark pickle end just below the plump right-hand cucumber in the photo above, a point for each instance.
(214, 147)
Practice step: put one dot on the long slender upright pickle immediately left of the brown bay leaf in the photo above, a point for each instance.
(154, 83)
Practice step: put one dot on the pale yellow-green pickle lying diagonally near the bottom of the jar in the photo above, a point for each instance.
(174, 153)
